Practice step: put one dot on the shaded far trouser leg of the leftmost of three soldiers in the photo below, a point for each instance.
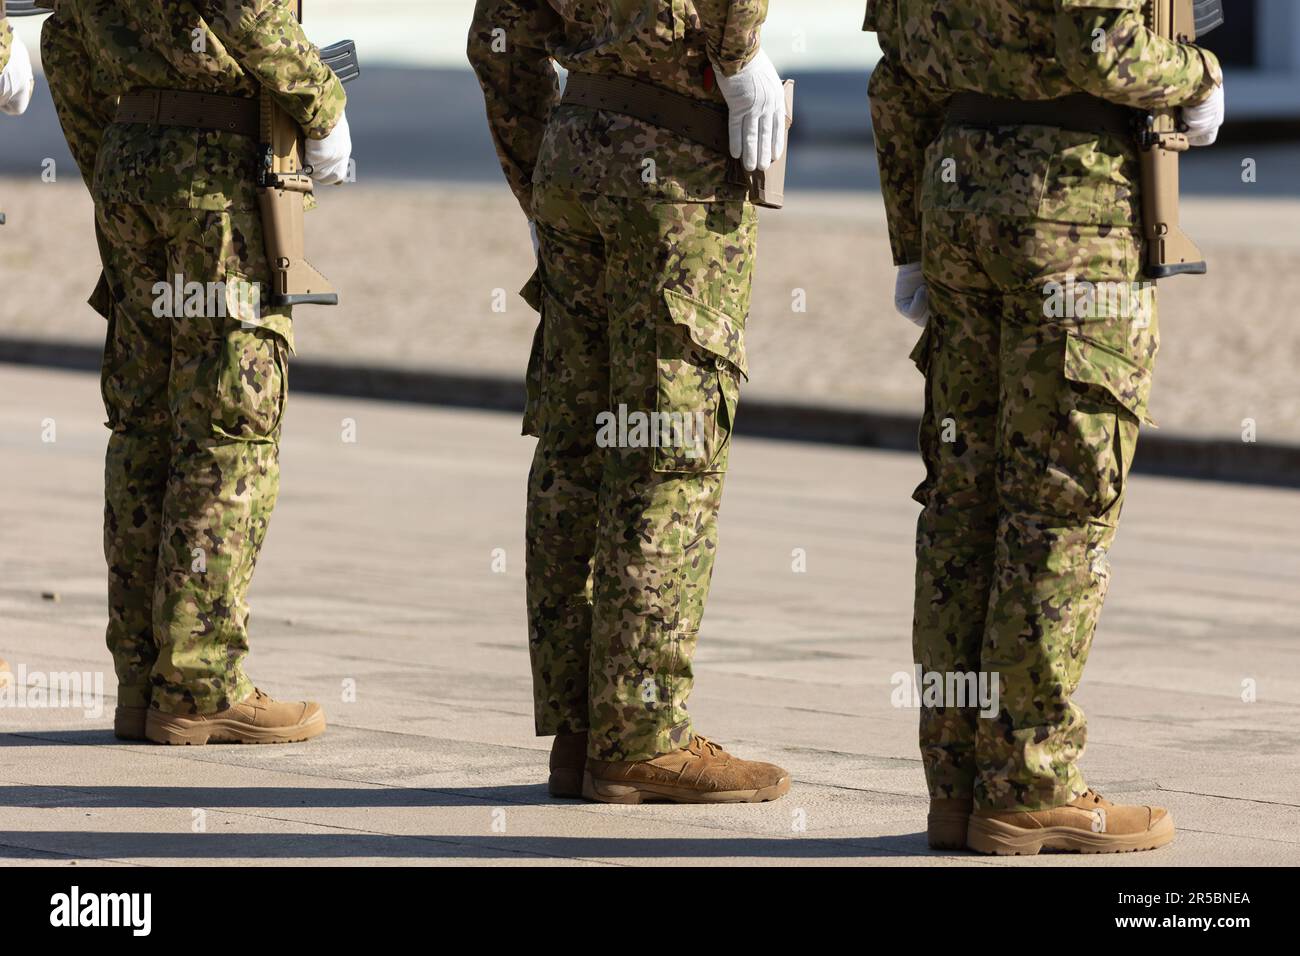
(135, 384)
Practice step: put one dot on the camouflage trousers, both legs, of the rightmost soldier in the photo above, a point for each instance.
(1038, 362)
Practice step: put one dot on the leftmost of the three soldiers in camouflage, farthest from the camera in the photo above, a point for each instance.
(194, 400)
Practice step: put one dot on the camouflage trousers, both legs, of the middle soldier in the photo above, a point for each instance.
(632, 393)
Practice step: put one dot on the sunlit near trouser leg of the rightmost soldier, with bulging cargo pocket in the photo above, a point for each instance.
(1074, 392)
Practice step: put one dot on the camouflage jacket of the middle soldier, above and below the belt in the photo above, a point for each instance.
(666, 42)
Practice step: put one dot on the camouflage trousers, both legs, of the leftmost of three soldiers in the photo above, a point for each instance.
(194, 387)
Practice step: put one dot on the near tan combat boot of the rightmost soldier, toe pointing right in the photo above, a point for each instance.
(1086, 825)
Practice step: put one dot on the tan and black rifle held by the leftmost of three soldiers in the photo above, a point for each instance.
(284, 185)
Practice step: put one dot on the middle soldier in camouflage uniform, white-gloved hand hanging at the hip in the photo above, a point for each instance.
(645, 259)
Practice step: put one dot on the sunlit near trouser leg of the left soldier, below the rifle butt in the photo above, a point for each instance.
(227, 395)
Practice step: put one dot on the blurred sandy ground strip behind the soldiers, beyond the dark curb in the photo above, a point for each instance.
(422, 266)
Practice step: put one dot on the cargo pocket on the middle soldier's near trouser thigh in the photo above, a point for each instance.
(700, 361)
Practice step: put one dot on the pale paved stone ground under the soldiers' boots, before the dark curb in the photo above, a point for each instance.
(378, 572)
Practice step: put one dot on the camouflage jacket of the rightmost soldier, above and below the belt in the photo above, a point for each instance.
(1032, 50)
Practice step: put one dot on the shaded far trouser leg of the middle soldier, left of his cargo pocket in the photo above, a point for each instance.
(569, 387)
